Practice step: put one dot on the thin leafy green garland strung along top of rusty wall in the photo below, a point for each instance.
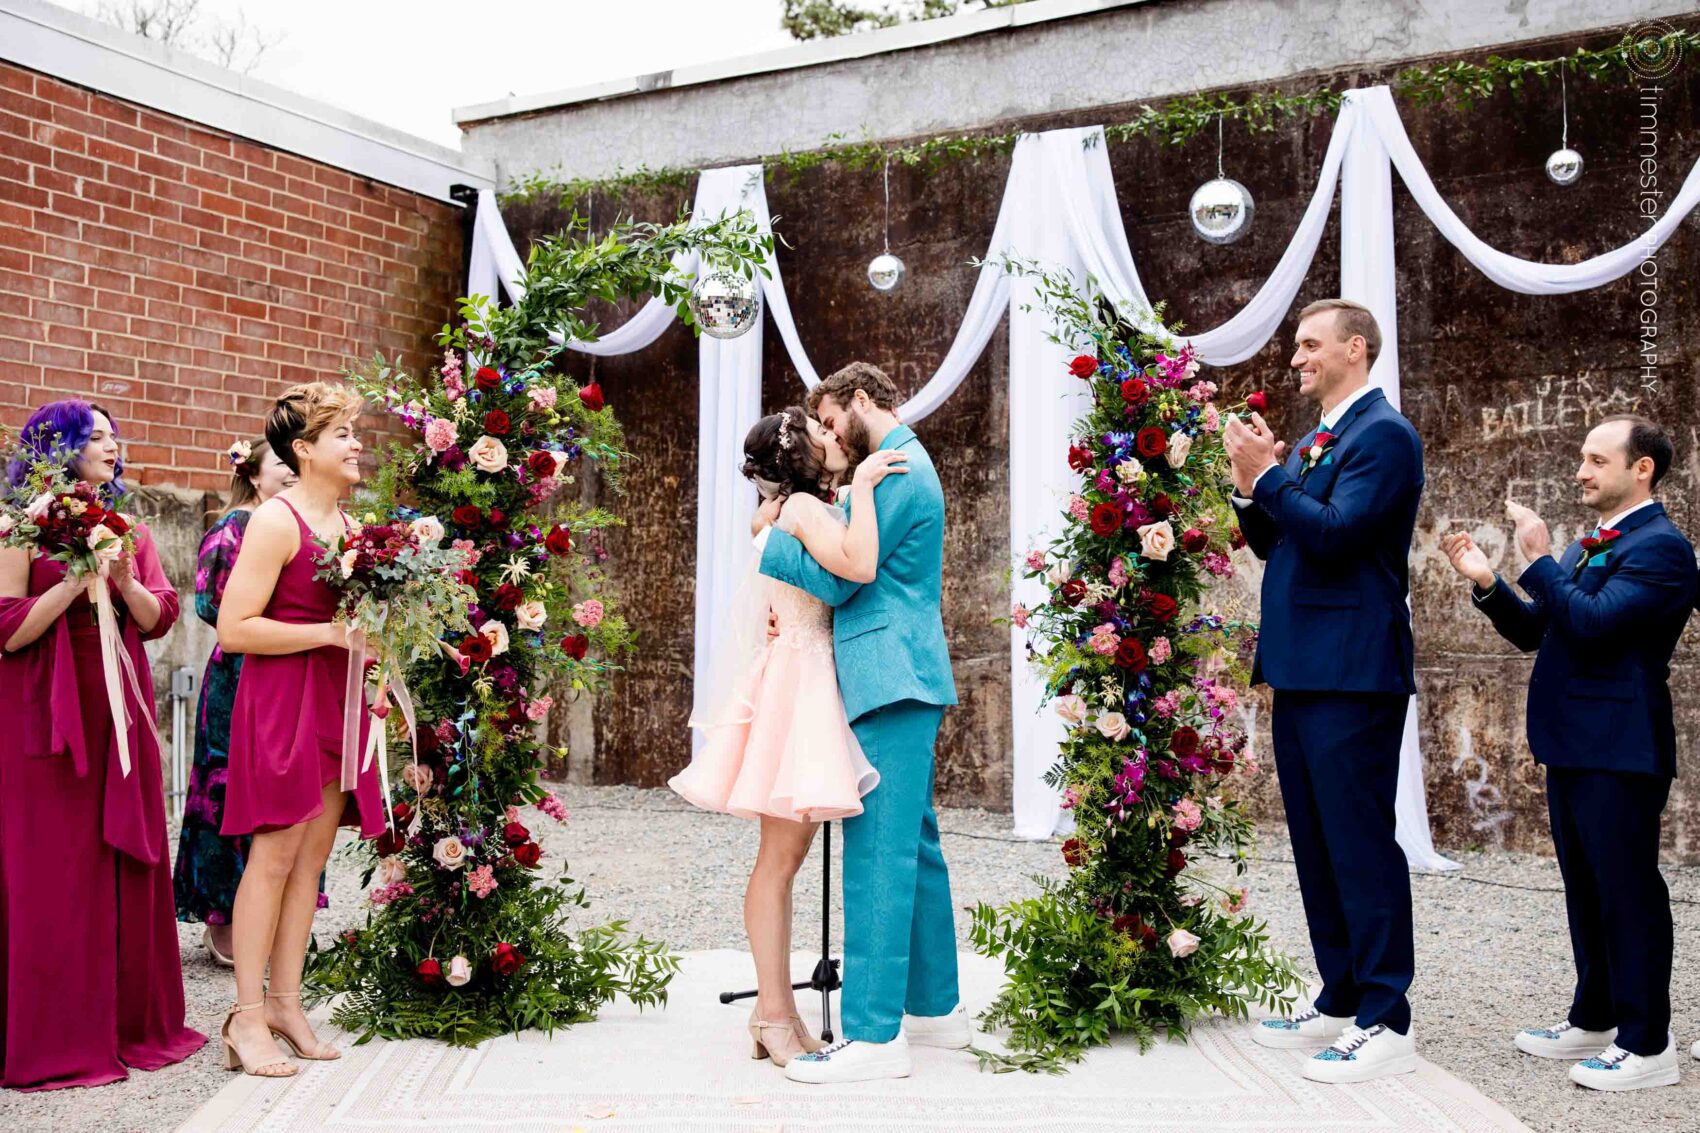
(1172, 123)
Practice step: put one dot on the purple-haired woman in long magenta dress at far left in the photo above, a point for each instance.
(91, 982)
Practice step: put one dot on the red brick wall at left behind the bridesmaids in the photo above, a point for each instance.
(184, 276)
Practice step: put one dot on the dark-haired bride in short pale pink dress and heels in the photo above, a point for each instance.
(778, 746)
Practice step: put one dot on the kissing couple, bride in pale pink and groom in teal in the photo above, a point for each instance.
(836, 717)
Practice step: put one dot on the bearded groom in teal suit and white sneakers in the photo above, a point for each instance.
(895, 678)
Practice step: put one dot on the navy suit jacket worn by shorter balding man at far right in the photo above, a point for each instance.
(1601, 693)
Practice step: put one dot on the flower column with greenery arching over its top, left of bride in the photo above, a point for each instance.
(468, 931)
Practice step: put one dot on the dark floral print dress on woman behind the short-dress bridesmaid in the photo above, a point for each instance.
(208, 863)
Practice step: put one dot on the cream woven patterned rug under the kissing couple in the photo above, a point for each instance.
(688, 1069)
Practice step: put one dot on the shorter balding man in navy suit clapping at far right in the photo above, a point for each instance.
(1604, 622)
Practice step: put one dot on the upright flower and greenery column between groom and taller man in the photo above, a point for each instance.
(1136, 940)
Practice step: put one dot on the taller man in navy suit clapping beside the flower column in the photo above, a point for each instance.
(1334, 525)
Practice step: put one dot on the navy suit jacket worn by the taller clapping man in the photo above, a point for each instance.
(1337, 544)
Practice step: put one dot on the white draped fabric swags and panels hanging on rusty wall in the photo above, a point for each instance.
(1060, 208)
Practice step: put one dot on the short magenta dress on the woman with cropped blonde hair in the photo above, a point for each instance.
(286, 724)
